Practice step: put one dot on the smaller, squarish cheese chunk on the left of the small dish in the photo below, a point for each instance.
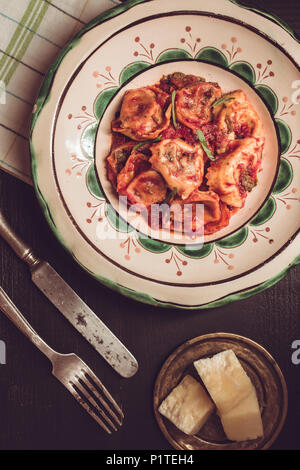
(188, 406)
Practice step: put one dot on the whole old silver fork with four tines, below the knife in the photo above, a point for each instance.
(72, 372)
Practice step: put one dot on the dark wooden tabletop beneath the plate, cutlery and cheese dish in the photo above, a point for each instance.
(37, 413)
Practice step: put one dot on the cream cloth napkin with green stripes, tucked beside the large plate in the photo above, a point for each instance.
(32, 33)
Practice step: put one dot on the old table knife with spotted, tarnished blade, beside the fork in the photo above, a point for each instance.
(71, 306)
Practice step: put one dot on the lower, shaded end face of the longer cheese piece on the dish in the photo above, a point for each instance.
(243, 422)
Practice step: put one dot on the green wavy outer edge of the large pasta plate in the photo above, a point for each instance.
(44, 96)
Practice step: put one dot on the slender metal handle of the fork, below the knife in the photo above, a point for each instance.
(12, 312)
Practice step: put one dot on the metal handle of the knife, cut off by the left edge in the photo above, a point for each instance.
(21, 249)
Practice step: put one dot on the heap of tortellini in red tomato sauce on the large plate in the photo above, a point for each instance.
(159, 157)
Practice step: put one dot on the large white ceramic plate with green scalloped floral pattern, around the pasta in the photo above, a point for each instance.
(257, 249)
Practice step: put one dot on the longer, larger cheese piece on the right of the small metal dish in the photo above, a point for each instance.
(234, 395)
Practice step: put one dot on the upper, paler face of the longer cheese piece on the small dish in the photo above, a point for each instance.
(225, 379)
